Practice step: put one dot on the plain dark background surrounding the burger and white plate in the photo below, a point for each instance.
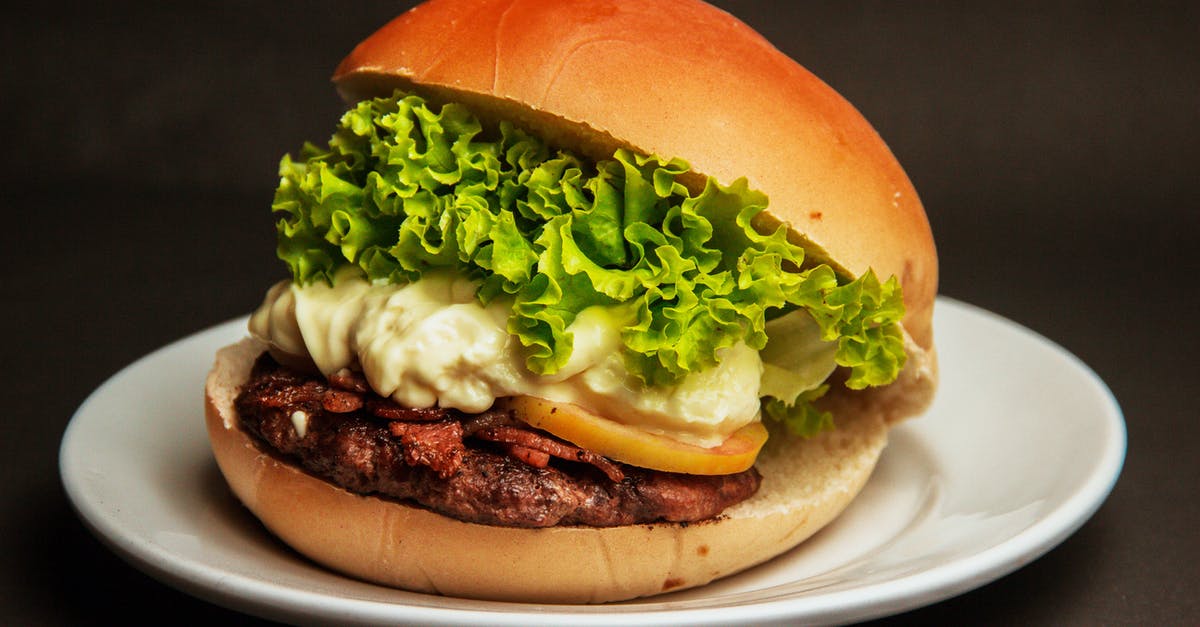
(1055, 147)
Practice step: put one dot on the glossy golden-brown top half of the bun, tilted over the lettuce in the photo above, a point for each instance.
(680, 79)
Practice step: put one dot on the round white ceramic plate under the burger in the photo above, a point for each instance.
(1022, 446)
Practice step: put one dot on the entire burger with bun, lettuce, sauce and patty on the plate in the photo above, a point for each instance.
(589, 301)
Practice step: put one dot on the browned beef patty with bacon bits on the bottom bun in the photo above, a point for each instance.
(489, 468)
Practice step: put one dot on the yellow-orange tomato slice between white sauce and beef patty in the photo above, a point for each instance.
(637, 447)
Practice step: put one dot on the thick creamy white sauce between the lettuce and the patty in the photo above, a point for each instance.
(433, 344)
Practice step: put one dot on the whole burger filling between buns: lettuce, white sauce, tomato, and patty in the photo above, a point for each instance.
(451, 268)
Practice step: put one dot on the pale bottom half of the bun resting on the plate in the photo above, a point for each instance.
(807, 483)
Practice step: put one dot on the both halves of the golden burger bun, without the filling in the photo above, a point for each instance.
(675, 79)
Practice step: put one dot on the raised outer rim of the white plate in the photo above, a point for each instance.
(939, 583)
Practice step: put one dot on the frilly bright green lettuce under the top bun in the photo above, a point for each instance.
(404, 188)
